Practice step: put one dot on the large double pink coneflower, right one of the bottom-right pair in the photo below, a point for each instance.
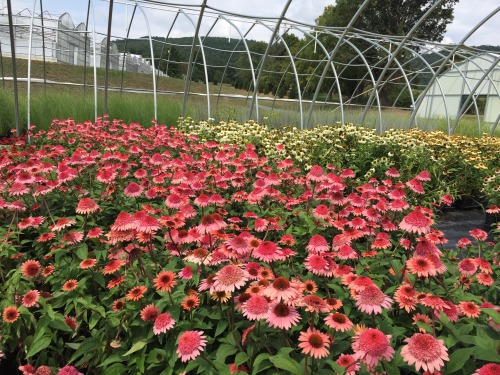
(425, 352)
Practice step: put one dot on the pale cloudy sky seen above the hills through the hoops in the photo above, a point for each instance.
(468, 13)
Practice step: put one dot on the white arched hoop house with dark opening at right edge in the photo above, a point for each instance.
(449, 92)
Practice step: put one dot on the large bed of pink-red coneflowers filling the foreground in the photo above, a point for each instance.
(147, 249)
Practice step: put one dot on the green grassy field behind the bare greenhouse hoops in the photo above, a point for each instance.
(49, 101)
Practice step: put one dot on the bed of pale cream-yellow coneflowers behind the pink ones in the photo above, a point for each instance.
(457, 164)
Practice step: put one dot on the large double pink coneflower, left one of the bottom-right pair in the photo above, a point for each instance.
(371, 345)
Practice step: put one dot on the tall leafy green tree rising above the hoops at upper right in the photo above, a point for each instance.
(388, 17)
